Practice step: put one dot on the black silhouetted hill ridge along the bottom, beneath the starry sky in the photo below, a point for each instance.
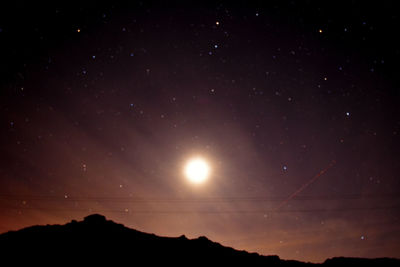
(96, 240)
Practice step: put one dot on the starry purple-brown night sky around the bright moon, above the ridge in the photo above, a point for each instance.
(293, 105)
